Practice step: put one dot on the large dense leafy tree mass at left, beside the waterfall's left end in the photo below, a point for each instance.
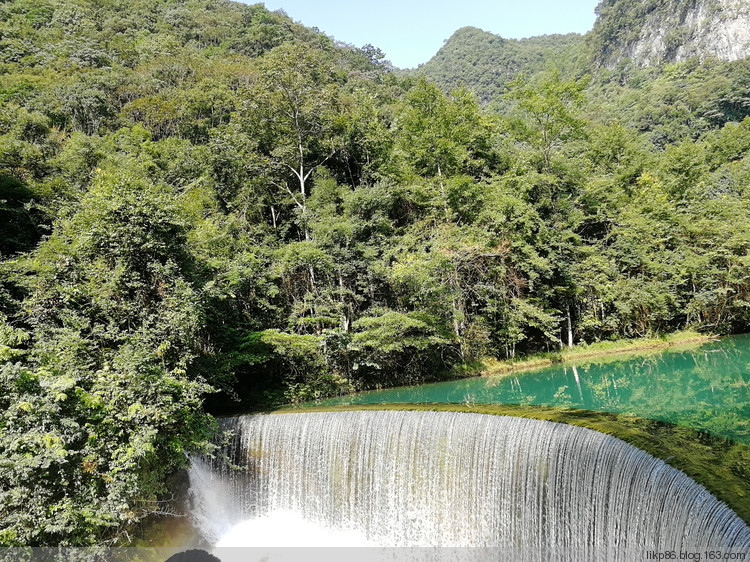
(101, 404)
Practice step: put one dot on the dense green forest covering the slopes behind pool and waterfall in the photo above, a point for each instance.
(205, 207)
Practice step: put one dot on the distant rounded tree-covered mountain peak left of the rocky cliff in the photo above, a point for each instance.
(485, 61)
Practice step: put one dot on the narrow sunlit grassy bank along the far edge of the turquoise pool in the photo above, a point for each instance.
(490, 366)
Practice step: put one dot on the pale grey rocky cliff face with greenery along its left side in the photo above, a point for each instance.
(650, 32)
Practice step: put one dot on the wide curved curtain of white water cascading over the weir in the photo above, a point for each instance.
(453, 479)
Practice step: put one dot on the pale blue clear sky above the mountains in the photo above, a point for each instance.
(410, 33)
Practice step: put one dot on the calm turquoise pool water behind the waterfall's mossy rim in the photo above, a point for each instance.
(705, 387)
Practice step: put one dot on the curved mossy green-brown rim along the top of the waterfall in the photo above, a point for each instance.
(720, 465)
